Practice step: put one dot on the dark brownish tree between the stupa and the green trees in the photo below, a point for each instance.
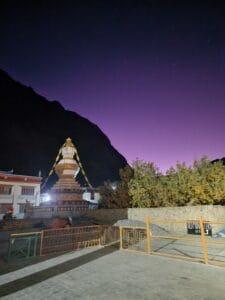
(116, 195)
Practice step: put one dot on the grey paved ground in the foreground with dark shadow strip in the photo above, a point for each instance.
(110, 274)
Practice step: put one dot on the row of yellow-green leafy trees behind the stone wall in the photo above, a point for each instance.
(203, 183)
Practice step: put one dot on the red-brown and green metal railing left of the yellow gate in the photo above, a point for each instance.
(51, 241)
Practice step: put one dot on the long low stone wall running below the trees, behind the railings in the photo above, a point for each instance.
(213, 213)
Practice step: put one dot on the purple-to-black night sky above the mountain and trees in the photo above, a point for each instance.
(150, 74)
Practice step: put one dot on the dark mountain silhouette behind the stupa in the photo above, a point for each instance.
(33, 129)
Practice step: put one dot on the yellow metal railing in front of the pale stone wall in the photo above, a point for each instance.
(173, 239)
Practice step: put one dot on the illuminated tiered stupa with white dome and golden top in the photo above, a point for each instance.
(67, 191)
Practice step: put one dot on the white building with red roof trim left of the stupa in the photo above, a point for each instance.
(17, 191)
